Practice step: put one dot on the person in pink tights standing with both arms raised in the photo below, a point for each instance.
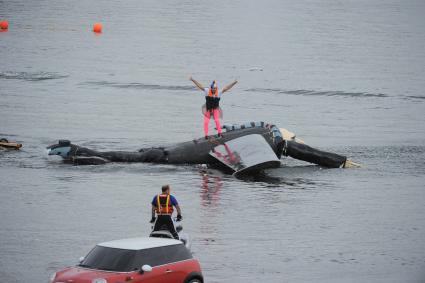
(212, 97)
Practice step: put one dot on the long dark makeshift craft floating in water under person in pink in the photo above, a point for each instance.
(242, 149)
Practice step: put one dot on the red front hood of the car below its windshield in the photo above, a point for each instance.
(85, 275)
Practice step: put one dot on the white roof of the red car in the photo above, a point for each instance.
(139, 243)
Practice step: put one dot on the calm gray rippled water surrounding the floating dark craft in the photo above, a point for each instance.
(345, 76)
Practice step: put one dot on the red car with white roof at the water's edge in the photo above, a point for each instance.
(136, 260)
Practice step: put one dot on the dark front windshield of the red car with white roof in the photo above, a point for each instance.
(110, 259)
